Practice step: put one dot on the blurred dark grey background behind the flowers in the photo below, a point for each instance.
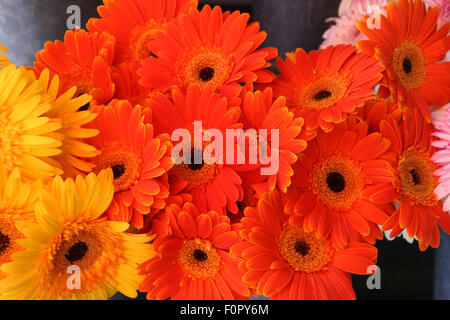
(406, 273)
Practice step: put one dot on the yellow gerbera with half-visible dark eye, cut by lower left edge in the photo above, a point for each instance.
(17, 201)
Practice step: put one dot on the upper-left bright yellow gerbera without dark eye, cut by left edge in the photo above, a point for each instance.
(27, 138)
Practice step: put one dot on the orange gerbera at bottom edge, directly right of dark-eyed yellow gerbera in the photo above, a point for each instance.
(194, 262)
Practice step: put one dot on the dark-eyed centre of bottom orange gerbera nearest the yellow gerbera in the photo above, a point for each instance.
(199, 260)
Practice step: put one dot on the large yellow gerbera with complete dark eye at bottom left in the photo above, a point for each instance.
(70, 236)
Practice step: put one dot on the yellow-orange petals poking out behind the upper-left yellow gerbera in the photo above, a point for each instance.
(73, 113)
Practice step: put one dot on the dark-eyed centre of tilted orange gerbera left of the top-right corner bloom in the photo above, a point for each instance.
(323, 92)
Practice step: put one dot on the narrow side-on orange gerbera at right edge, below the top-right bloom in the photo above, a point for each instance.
(419, 210)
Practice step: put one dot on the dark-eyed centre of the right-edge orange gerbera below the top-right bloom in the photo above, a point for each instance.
(416, 177)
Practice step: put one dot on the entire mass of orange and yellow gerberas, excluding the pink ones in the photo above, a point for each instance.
(88, 177)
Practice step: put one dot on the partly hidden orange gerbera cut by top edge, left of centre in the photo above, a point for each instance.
(134, 24)
